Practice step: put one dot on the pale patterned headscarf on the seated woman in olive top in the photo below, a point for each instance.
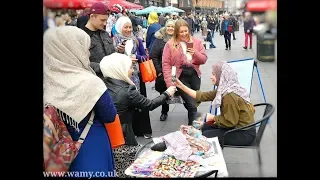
(227, 82)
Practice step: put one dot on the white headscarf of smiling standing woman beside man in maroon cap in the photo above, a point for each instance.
(119, 37)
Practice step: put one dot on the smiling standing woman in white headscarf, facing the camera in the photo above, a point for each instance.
(123, 26)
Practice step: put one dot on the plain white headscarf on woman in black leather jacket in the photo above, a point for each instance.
(116, 66)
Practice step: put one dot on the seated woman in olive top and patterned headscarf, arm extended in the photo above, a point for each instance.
(234, 102)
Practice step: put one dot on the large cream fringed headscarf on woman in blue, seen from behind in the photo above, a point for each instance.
(69, 82)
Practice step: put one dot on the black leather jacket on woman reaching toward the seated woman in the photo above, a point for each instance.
(127, 101)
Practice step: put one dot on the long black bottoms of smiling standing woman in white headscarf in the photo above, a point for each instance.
(141, 121)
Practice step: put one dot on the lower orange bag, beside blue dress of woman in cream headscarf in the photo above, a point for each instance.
(115, 133)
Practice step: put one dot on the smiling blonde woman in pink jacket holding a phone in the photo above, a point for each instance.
(186, 54)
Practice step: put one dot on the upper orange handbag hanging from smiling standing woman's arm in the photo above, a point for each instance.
(146, 69)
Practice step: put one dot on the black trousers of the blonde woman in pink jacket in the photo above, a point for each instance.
(190, 78)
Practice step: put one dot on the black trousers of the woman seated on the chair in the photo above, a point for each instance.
(238, 138)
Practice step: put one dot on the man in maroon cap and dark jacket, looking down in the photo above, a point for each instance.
(101, 42)
